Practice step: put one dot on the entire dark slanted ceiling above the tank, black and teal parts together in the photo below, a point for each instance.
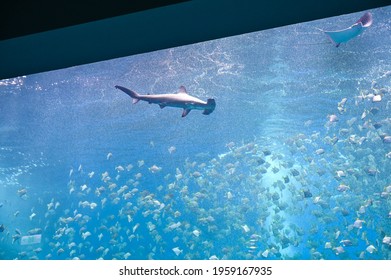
(37, 36)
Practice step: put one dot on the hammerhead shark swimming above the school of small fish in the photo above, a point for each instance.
(181, 100)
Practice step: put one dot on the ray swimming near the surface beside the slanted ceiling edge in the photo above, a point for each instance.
(344, 35)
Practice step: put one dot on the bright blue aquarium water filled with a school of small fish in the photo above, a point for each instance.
(229, 185)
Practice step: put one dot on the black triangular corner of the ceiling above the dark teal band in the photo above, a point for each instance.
(24, 17)
